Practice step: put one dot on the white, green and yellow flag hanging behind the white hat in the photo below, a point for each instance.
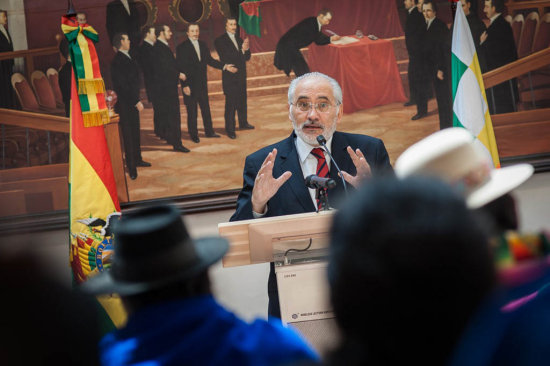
(470, 108)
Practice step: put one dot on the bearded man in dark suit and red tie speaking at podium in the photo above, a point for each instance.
(273, 178)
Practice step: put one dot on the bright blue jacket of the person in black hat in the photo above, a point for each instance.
(199, 331)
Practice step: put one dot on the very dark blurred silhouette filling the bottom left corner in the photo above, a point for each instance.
(44, 322)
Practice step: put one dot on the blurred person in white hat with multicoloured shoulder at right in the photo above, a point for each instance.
(510, 328)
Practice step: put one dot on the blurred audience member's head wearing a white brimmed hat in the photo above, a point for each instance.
(456, 157)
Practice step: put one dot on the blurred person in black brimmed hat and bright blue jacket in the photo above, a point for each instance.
(162, 277)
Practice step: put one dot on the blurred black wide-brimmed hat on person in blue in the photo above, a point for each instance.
(153, 248)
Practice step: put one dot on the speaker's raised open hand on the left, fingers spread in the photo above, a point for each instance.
(265, 186)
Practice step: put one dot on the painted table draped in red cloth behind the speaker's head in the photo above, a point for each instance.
(366, 70)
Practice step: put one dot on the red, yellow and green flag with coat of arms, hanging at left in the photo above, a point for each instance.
(93, 200)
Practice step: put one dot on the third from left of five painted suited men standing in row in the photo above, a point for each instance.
(166, 103)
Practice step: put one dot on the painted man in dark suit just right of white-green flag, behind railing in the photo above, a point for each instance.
(499, 49)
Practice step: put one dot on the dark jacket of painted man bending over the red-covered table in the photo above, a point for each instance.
(299, 36)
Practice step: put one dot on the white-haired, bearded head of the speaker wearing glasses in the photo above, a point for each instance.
(314, 106)
